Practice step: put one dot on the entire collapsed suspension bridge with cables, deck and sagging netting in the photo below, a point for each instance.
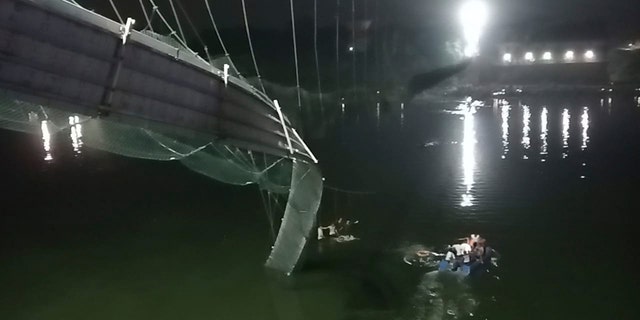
(147, 95)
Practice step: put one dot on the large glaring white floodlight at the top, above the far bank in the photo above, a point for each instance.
(473, 16)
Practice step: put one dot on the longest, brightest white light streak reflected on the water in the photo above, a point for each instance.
(468, 156)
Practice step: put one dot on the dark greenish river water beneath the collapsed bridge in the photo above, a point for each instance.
(550, 181)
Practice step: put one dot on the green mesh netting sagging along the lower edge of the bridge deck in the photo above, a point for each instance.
(203, 155)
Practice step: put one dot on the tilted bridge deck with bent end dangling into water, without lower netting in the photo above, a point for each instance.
(57, 54)
